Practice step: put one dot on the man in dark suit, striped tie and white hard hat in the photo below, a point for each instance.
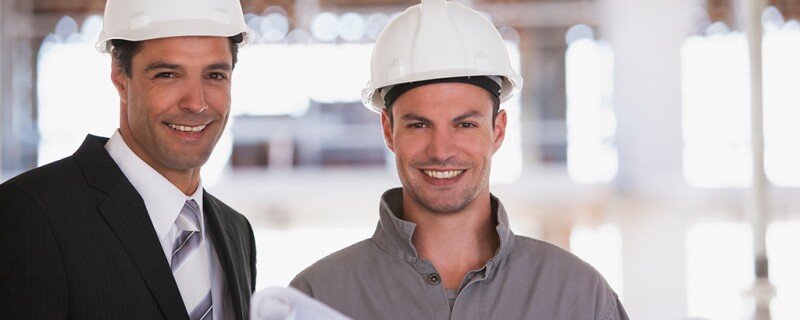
(123, 229)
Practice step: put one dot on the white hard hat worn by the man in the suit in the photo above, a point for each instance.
(138, 20)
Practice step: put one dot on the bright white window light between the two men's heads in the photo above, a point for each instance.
(279, 79)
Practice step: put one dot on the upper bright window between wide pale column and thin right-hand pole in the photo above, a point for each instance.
(716, 112)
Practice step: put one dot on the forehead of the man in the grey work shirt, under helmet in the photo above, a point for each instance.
(444, 98)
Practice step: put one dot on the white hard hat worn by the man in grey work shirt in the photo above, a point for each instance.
(434, 40)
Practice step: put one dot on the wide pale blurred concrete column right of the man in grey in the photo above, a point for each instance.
(646, 37)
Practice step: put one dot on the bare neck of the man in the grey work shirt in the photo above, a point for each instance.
(455, 243)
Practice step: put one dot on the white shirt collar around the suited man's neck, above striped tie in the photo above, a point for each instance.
(162, 199)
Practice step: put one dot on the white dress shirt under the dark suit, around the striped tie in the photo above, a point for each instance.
(164, 202)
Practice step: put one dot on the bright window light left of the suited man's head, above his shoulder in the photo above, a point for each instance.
(75, 97)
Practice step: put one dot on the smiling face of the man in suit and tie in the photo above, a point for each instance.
(175, 103)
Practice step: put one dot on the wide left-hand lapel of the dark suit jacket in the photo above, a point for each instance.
(126, 214)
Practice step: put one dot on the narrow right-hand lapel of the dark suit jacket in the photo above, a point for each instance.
(220, 231)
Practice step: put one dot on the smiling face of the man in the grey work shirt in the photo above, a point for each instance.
(443, 139)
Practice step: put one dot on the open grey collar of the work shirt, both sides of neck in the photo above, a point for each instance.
(393, 234)
